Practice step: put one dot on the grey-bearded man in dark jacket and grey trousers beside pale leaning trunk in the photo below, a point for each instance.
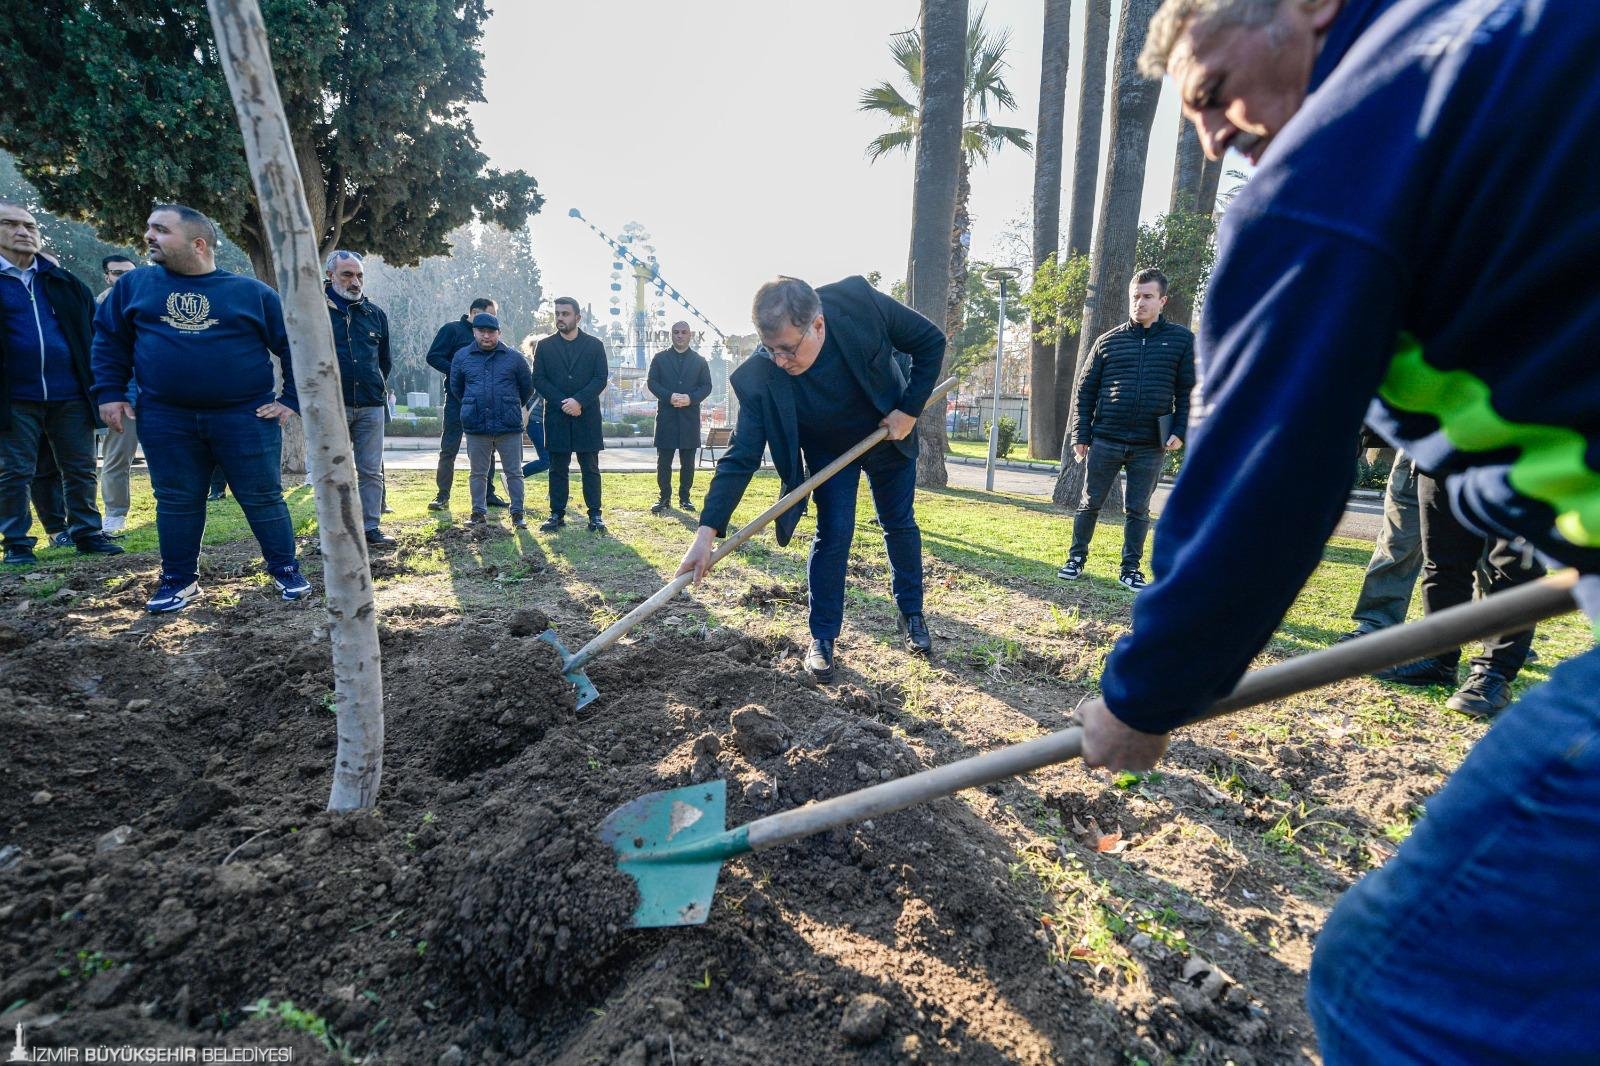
(361, 339)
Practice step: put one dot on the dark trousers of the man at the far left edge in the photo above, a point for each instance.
(70, 431)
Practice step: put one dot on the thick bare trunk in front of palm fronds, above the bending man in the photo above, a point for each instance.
(934, 198)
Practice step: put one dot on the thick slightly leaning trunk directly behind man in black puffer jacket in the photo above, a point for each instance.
(1118, 230)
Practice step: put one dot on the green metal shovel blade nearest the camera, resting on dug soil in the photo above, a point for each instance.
(668, 843)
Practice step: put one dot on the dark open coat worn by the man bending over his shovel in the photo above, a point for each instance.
(874, 334)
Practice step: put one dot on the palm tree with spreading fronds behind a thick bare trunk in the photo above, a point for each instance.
(985, 90)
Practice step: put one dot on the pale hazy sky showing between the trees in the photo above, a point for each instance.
(729, 130)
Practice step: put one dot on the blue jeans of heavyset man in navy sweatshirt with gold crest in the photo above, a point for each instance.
(182, 447)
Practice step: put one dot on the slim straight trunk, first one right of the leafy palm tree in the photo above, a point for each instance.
(1044, 433)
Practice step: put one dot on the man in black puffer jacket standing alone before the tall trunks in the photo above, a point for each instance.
(1134, 409)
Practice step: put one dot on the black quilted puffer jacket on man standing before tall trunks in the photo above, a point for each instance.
(1134, 377)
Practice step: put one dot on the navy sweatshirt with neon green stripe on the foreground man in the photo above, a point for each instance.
(1415, 250)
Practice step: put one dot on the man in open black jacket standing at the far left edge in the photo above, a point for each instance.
(46, 316)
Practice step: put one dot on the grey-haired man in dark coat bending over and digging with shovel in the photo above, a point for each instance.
(828, 375)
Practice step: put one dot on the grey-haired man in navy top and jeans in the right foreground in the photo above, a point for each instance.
(1415, 249)
